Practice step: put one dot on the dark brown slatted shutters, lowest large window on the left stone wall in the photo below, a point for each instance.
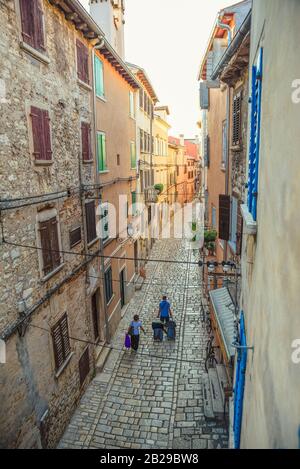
(61, 342)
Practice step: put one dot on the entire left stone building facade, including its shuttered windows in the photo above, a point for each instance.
(49, 302)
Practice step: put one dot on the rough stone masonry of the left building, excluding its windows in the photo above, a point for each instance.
(29, 385)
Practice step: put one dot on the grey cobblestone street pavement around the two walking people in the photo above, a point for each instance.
(153, 399)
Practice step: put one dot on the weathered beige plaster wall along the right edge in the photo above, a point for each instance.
(271, 287)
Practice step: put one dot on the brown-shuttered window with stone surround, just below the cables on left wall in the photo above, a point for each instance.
(50, 247)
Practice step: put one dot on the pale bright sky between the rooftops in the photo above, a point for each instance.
(168, 39)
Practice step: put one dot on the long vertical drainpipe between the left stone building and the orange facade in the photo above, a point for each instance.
(107, 333)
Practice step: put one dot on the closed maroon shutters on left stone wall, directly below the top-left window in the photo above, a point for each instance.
(41, 135)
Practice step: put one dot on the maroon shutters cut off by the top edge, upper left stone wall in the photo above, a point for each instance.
(32, 23)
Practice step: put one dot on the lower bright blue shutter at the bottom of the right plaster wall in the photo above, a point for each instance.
(240, 384)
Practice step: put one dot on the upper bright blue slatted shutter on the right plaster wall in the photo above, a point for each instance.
(255, 135)
